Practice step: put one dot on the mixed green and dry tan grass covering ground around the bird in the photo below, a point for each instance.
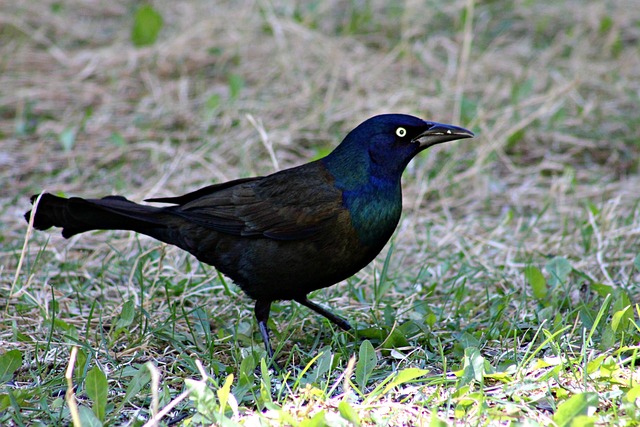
(509, 295)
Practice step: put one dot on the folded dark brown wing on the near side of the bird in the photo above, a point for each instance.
(289, 205)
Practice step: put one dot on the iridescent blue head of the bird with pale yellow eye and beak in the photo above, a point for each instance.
(382, 146)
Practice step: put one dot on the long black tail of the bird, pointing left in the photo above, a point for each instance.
(76, 215)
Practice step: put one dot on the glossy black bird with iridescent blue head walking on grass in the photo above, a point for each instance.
(283, 235)
